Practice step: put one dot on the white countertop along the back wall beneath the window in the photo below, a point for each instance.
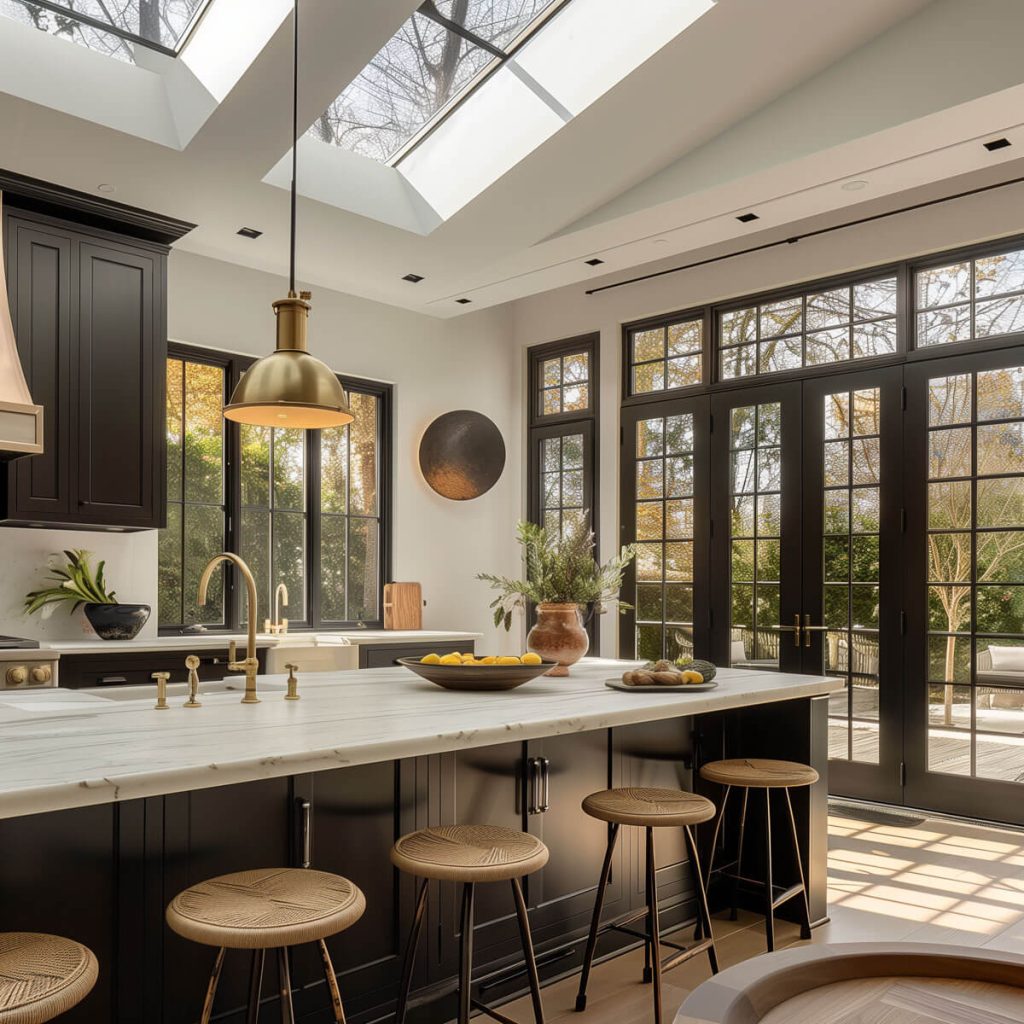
(206, 642)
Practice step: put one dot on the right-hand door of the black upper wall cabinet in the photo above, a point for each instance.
(120, 349)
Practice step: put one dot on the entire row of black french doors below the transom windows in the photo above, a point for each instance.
(869, 527)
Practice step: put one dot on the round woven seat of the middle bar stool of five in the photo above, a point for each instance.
(470, 854)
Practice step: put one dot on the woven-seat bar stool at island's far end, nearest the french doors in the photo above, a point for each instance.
(758, 774)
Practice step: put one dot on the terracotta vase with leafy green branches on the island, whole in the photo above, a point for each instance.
(563, 578)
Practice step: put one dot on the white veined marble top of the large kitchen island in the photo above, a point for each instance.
(62, 749)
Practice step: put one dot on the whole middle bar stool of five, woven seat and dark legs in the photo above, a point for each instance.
(470, 855)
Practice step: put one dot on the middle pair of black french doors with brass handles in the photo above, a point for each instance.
(805, 554)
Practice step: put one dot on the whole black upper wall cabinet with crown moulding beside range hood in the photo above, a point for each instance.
(91, 318)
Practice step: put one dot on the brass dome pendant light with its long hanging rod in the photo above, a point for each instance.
(290, 388)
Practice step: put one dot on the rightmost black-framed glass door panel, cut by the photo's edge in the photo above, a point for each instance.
(965, 585)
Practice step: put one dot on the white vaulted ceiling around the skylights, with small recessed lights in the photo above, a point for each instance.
(772, 108)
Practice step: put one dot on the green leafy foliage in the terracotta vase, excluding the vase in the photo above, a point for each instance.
(559, 571)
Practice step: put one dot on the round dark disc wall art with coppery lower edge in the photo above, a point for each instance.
(462, 455)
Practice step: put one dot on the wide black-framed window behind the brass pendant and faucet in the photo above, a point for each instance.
(310, 509)
